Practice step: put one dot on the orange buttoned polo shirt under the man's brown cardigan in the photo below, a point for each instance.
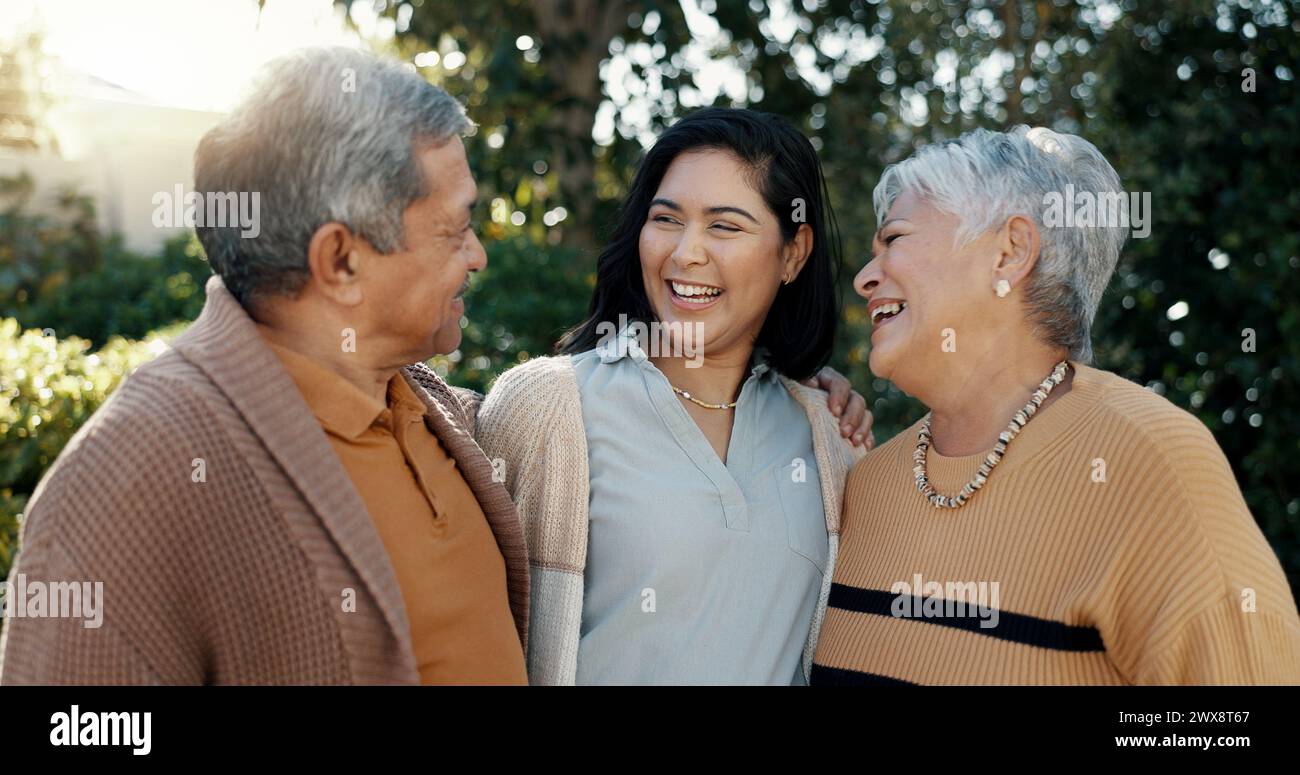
(452, 573)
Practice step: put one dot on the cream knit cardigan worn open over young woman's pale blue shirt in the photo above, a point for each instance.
(532, 423)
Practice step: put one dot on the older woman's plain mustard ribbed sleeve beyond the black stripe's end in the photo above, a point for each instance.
(1197, 595)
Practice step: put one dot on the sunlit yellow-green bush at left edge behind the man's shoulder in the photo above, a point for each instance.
(49, 388)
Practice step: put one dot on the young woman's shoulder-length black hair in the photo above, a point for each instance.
(800, 328)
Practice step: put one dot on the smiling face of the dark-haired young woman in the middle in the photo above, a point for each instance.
(712, 252)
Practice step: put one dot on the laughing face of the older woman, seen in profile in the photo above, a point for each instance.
(924, 293)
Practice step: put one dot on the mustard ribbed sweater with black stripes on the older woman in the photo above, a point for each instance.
(1111, 545)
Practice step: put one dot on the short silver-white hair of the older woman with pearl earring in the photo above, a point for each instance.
(986, 177)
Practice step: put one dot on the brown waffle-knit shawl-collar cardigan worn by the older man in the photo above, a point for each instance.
(245, 578)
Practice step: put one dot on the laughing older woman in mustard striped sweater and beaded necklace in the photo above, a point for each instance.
(1047, 522)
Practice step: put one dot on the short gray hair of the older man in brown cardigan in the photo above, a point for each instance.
(328, 135)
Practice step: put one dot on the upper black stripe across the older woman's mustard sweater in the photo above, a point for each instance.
(1017, 629)
